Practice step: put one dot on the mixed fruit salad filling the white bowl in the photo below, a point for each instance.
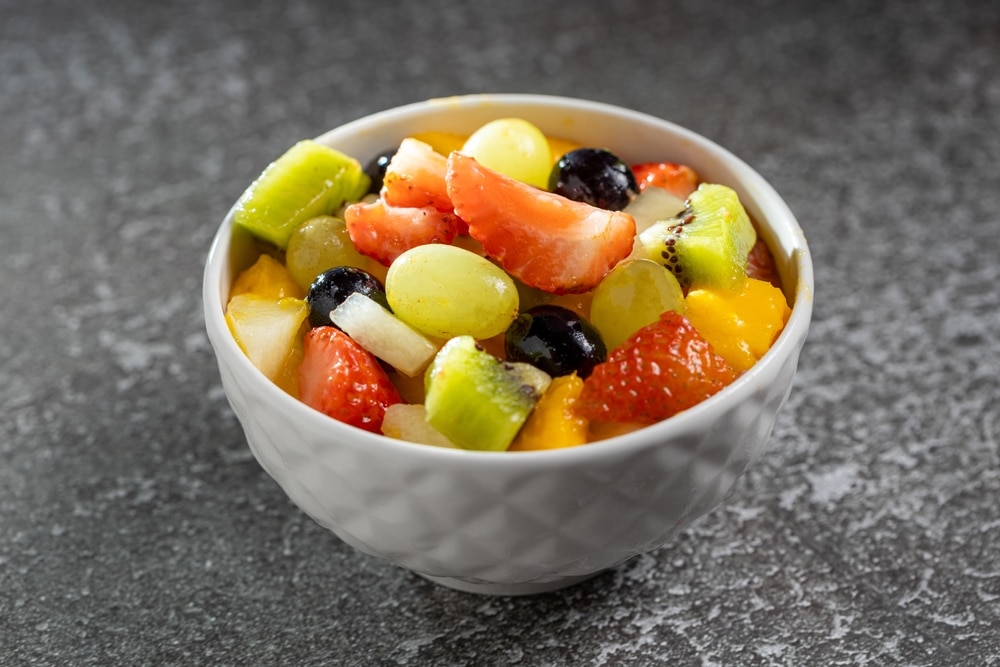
(500, 291)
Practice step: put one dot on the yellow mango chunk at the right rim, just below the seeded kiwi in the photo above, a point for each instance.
(741, 325)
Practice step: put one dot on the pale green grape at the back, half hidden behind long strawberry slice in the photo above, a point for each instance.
(513, 147)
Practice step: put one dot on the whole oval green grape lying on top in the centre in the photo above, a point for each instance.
(445, 291)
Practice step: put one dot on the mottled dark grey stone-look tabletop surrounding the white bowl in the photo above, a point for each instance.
(136, 528)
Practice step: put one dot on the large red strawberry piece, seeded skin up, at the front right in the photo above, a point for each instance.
(660, 370)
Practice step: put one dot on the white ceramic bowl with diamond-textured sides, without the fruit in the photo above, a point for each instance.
(521, 522)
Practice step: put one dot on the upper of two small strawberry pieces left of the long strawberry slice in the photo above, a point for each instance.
(415, 177)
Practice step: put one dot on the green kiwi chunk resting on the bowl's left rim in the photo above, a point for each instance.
(308, 180)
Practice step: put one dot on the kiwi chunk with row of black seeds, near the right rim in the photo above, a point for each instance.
(706, 244)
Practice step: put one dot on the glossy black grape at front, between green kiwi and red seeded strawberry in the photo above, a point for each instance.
(556, 340)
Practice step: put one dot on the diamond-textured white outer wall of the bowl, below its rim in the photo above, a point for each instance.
(459, 517)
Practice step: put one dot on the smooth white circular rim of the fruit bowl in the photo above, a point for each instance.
(788, 342)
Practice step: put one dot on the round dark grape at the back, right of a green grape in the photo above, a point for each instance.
(594, 176)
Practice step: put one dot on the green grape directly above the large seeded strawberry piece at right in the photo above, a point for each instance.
(631, 296)
